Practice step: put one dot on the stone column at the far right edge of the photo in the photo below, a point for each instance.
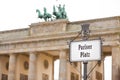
(115, 63)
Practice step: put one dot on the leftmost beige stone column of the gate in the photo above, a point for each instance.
(12, 67)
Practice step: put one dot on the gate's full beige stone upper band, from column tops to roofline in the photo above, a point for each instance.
(55, 35)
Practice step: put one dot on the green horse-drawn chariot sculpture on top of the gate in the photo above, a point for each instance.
(60, 13)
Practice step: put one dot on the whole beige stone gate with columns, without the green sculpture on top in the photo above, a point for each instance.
(29, 54)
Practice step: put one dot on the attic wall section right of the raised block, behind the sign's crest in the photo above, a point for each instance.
(96, 24)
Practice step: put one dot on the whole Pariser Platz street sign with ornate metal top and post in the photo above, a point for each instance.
(85, 50)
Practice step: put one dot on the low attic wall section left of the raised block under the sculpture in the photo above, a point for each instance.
(14, 34)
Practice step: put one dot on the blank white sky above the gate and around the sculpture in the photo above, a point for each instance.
(16, 14)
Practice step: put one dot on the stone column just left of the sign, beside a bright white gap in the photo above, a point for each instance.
(63, 65)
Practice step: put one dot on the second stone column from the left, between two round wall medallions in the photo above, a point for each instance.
(32, 66)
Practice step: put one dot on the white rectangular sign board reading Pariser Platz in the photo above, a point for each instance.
(85, 50)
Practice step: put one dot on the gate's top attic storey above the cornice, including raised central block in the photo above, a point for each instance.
(44, 28)
